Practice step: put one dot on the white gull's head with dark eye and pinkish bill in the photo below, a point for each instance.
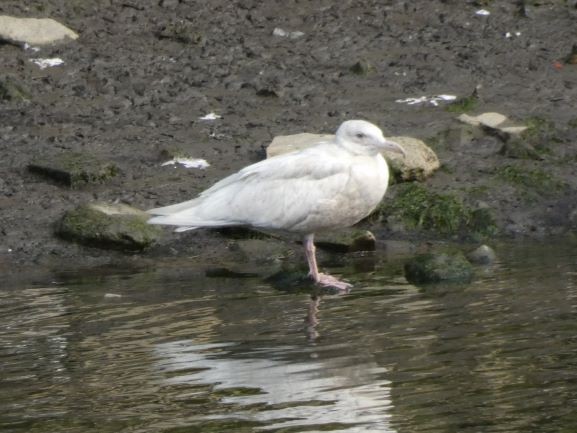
(360, 136)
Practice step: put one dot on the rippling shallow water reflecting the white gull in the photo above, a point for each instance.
(169, 350)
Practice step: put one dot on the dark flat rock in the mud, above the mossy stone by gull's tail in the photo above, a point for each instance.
(75, 169)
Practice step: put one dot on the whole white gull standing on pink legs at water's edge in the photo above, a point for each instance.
(328, 186)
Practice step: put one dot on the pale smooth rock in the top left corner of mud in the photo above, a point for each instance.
(34, 31)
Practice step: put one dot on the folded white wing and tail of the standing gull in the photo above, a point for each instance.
(280, 193)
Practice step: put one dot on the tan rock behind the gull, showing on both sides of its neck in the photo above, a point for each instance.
(420, 163)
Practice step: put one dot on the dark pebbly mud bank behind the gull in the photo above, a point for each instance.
(143, 72)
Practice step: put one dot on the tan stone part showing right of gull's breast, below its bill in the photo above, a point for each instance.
(419, 164)
